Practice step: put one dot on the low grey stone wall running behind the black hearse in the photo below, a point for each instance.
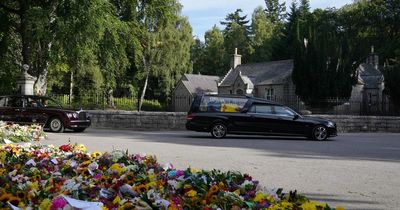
(177, 120)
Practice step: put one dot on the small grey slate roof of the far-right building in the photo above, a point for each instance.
(369, 76)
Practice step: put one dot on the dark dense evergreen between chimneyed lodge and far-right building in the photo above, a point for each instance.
(323, 67)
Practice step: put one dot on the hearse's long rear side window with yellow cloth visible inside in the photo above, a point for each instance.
(221, 104)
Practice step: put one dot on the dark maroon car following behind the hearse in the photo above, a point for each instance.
(24, 109)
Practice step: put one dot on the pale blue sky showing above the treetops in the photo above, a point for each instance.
(204, 14)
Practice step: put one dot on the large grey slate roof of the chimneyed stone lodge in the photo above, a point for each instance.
(274, 72)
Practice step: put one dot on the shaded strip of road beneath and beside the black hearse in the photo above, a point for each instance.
(360, 146)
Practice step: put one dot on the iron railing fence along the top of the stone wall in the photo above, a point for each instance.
(337, 106)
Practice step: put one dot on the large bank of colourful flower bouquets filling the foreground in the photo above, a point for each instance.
(48, 177)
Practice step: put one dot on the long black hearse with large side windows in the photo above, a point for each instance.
(230, 114)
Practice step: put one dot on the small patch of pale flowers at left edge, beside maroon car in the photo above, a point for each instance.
(13, 133)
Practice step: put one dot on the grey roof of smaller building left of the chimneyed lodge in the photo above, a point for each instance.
(196, 83)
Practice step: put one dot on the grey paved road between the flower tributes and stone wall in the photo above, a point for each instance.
(357, 171)
